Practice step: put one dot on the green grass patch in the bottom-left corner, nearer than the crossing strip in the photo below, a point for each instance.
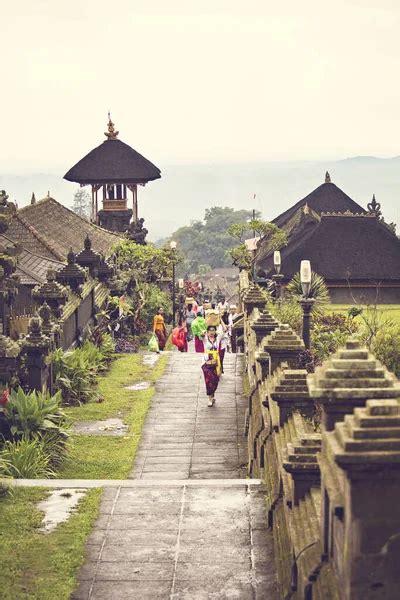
(36, 565)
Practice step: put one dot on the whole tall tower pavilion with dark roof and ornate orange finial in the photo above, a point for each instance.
(113, 170)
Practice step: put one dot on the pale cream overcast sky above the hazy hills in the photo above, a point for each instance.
(216, 80)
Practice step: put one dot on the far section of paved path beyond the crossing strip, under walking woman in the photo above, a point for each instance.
(184, 438)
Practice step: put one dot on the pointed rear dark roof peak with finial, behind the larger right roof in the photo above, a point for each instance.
(325, 198)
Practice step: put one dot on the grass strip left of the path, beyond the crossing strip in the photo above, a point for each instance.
(106, 457)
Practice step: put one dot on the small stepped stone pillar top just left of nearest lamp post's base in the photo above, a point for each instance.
(283, 345)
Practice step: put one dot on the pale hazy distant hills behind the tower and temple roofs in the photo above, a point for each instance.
(186, 190)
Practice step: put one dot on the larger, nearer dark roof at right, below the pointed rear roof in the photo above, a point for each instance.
(340, 247)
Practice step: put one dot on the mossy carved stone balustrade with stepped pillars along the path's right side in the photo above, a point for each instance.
(327, 446)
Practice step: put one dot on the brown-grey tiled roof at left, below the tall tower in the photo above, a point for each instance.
(61, 229)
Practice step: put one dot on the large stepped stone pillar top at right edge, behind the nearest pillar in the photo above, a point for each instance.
(347, 379)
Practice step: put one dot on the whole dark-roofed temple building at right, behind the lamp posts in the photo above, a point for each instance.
(356, 252)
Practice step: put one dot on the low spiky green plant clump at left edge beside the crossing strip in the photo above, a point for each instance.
(25, 458)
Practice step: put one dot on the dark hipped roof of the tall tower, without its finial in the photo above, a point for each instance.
(113, 161)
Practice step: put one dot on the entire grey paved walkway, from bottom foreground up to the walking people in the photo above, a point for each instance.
(188, 525)
